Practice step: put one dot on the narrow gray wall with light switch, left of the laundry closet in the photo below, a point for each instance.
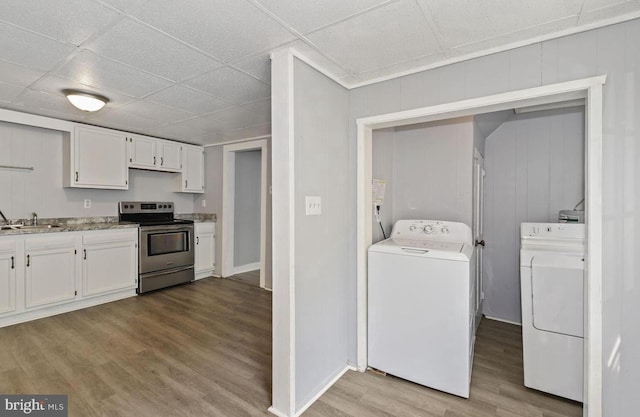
(321, 242)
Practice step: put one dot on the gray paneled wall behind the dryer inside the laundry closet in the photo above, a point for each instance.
(534, 167)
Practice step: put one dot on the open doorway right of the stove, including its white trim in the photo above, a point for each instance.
(241, 198)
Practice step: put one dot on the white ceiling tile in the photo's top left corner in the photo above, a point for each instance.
(72, 21)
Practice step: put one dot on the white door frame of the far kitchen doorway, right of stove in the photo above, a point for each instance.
(228, 203)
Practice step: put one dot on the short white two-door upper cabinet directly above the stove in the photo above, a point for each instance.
(155, 154)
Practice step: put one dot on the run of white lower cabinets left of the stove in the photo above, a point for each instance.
(50, 273)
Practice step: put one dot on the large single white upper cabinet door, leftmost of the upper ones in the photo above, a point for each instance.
(100, 158)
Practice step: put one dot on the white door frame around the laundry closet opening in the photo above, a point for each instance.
(589, 89)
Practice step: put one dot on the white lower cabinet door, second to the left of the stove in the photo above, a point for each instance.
(50, 270)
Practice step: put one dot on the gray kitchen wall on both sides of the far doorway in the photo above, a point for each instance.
(213, 157)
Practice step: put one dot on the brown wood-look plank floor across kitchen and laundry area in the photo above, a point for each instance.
(204, 349)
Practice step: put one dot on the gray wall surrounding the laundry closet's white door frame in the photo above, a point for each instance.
(612, 51)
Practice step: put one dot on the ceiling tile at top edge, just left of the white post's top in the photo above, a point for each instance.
(226, 29)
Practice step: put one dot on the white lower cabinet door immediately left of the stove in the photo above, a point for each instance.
(109, 262)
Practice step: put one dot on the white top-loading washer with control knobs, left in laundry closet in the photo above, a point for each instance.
(420, 293)
